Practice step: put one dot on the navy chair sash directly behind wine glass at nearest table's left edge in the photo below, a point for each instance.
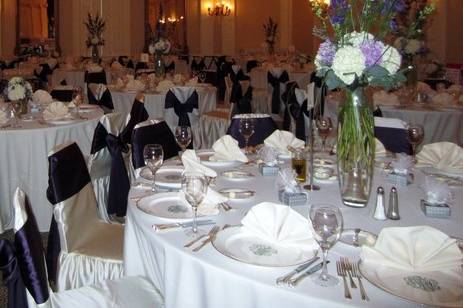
(159, 133)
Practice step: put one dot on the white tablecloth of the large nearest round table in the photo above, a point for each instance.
(208, 279)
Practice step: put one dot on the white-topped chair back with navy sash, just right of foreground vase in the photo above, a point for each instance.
(393, 135)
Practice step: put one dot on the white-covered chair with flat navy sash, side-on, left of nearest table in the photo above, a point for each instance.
(85, 249)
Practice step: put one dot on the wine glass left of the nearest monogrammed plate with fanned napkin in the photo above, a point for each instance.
(194, 186)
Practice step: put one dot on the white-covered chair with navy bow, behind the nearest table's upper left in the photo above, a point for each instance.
(181, 109)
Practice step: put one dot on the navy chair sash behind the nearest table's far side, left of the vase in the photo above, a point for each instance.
(264, 128)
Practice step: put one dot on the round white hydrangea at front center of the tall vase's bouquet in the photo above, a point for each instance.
(348, 63)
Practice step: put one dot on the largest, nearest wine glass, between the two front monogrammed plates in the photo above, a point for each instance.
(327, 224)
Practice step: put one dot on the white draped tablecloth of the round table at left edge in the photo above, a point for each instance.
(24, 162)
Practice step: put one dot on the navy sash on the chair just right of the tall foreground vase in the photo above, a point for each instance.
(394, 139)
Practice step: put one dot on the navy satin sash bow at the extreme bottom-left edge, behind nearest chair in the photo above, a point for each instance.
(12, 279)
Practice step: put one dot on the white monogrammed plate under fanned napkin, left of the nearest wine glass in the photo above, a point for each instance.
(239, 245)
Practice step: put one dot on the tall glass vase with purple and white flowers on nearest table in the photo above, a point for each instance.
(353, 58)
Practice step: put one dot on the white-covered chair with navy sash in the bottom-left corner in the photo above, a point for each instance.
(24, 268)
